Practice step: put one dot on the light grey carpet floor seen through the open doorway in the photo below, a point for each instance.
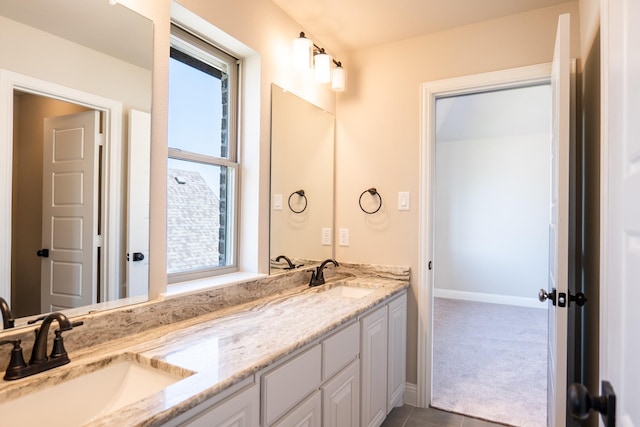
(490, 361)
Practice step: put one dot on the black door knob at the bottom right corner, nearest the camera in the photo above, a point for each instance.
(581, 403)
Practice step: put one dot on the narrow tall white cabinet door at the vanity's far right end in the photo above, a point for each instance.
(397, 351)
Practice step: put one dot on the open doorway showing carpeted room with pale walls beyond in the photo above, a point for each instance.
(491, 252)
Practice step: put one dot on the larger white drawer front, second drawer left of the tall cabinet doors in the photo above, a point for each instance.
(286, 385)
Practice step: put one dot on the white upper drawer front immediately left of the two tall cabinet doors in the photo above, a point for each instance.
(340, 349)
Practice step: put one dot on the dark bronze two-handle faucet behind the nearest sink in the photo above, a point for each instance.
(39, 360)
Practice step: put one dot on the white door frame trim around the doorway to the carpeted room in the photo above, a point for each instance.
(429, 92)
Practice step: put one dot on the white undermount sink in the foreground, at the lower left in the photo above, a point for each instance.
(77, 401)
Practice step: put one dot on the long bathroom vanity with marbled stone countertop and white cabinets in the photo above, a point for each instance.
(330, 355)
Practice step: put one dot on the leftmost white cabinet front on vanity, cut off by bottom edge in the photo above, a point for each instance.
(239, 410)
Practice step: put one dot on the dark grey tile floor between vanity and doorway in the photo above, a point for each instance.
(409, 416)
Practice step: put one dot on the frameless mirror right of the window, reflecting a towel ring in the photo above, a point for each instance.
(302, 144)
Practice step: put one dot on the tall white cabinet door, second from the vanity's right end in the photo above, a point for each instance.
(373, 359)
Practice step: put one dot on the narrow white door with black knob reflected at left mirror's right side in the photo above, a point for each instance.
(138, 203)
